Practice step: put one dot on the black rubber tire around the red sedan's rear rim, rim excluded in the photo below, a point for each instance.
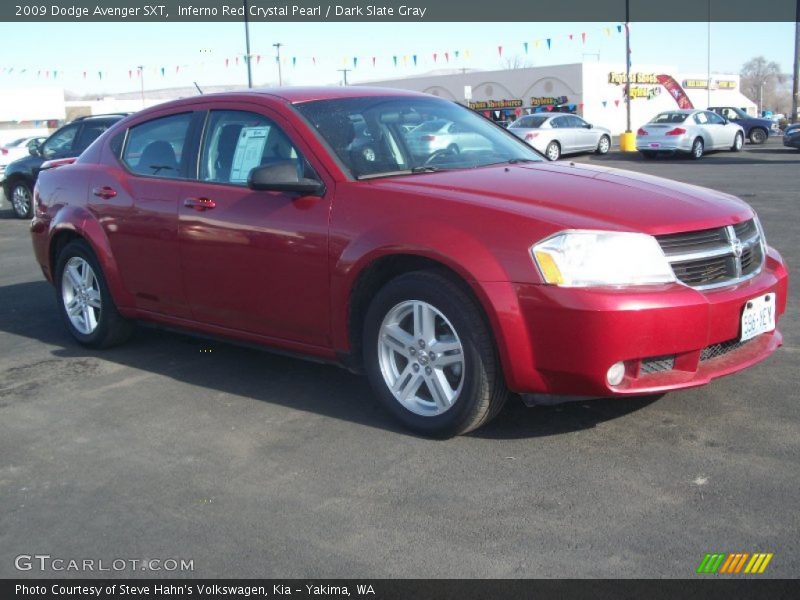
(112, 328)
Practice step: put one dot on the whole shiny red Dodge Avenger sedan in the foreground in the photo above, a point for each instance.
(304, 220)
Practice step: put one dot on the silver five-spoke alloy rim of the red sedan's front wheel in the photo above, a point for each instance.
(421, 358)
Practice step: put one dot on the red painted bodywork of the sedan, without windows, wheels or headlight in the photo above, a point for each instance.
(278, 269)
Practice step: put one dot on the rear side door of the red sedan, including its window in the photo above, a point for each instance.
(136, 202)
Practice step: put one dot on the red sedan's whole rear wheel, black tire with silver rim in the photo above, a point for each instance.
(85, 303)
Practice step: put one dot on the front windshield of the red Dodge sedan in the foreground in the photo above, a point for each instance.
(410, 134)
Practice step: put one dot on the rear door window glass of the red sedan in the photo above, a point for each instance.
(155, 147)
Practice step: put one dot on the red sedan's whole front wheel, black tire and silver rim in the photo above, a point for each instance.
(430, 356)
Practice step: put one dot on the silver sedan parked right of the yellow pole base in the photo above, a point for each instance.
(689, 131)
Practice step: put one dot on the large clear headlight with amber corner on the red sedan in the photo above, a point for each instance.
(583, 258)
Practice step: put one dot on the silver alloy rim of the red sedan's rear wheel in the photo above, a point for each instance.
(80, 293)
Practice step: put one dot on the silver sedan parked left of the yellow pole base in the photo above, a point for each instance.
(559, 133)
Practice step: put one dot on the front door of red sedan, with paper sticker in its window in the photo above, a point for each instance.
(254, 261)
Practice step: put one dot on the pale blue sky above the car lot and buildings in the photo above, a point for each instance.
(102, 58)
